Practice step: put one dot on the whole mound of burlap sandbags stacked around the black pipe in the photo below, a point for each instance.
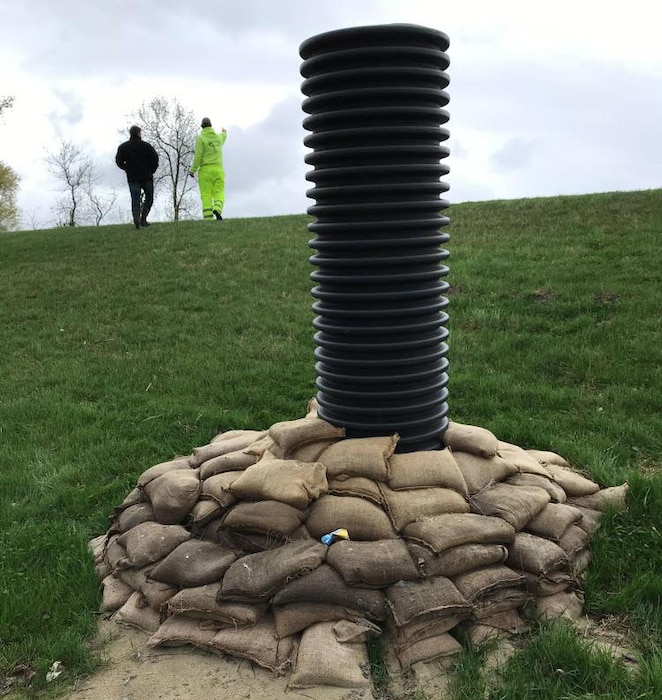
(223, 549)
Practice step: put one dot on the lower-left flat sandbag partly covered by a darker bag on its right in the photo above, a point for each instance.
(201, 603)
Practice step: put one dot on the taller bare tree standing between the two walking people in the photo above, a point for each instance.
(172, 130)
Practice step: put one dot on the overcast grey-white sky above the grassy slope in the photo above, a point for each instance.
(545, 98)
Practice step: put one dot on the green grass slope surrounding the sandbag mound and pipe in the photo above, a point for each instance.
(123, 348)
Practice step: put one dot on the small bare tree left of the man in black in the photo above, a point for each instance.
(75, 172)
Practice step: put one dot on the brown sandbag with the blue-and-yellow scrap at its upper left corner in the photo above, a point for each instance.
(372, 564)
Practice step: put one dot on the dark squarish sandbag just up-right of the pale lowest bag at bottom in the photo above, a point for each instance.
(408, 601)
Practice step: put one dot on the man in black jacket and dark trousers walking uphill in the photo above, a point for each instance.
(139, 160)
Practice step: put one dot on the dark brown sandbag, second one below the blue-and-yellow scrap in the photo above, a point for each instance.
(326, 586)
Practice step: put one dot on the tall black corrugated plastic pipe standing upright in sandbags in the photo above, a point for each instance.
(375, 96)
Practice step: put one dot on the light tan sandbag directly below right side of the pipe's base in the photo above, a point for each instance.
(425, 469)
